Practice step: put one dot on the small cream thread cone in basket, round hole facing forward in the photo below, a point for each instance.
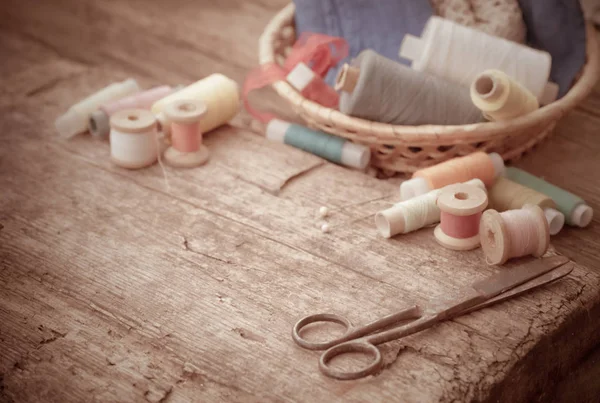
(500, 97)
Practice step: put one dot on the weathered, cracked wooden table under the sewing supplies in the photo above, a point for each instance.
(120, 286)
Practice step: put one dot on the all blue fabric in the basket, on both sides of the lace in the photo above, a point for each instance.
(556, 26)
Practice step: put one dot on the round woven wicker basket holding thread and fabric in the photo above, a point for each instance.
(409, 148)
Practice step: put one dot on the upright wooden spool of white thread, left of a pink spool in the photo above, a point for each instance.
(133, 138)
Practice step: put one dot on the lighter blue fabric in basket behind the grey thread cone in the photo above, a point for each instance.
(366, 24)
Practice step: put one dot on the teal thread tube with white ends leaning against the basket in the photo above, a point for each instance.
(332, 148)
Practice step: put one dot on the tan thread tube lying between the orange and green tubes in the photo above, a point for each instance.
(508, 195)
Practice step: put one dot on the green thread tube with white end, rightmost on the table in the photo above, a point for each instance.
(575, 209)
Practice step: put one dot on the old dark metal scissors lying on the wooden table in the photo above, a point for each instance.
(505, 284)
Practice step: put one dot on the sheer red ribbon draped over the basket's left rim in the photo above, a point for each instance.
(319, 52)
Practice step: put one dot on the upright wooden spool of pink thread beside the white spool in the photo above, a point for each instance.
(187, 150)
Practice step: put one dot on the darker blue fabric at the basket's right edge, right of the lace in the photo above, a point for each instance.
(558, 27)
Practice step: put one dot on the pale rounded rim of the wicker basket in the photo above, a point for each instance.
(382, 133)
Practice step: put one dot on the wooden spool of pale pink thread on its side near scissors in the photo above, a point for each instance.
(513, 233)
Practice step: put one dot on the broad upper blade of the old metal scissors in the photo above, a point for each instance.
(507, 279)
